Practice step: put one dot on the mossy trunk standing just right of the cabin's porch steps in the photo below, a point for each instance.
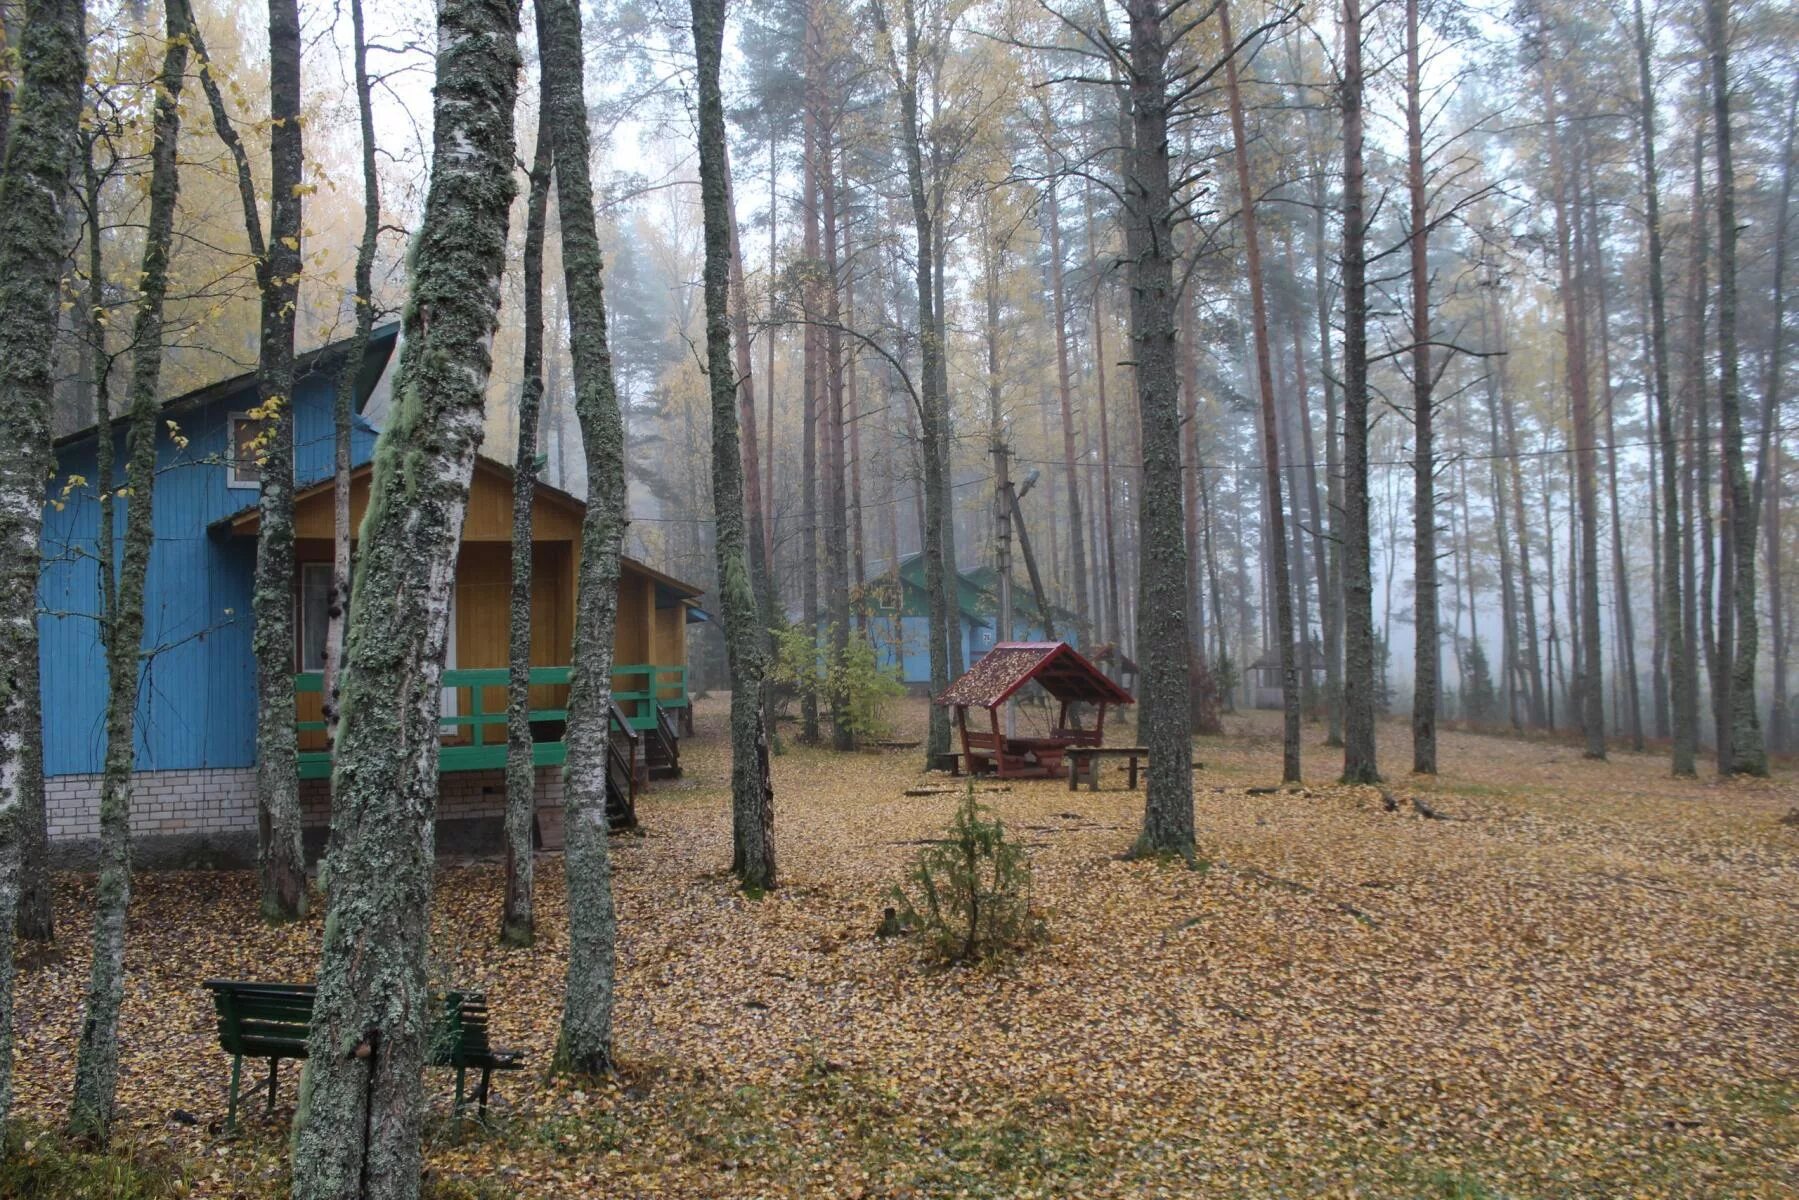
(751, 789)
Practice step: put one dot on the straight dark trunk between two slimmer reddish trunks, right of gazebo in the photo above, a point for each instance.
(1359, 582)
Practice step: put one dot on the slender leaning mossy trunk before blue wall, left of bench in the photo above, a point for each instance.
(98, 1053)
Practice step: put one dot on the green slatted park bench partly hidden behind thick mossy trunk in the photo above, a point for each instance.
(274, 1023)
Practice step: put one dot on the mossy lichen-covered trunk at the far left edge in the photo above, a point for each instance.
(40, 159)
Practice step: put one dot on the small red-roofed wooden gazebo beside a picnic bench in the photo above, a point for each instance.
(1061, 672)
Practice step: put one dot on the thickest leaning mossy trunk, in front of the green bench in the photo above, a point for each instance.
(357, 1134)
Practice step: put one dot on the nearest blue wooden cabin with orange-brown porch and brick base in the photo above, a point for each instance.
(197, 713)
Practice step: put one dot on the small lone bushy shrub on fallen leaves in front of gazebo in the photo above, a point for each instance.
(971, 893)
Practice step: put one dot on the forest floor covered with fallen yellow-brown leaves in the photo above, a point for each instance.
(1582, 983)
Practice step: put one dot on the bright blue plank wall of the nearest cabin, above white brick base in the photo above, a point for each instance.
(197, 704)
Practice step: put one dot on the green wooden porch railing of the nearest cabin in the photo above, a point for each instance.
(663, 688)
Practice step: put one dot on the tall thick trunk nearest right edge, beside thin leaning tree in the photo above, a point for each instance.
(1748, 755)
